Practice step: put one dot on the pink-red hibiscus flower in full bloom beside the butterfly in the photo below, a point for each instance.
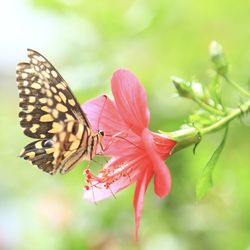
(137, 153)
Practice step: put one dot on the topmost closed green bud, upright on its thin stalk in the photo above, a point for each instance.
(218, 58)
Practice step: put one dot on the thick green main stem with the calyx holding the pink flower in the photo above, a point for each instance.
(190, 136)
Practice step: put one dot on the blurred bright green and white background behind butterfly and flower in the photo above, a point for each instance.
(87, 41)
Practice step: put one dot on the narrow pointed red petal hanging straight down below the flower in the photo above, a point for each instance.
(141, 187)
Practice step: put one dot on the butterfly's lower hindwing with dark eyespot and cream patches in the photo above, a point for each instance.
(62, 152)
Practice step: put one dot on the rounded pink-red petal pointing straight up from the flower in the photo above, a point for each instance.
(131, 100)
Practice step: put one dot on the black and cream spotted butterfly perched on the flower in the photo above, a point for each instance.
(51, 114)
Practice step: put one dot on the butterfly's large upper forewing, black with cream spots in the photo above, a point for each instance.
(45, 98)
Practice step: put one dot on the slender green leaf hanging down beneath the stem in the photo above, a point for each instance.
(206, 180)
